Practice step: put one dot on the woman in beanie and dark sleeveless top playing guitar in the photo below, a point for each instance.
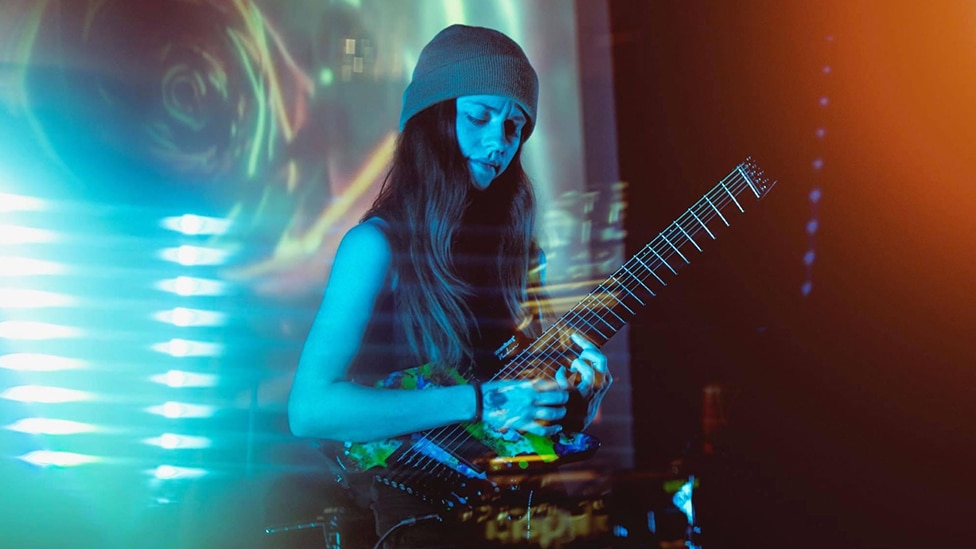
(439, 270)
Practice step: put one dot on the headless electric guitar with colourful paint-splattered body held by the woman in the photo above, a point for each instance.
(453, 466)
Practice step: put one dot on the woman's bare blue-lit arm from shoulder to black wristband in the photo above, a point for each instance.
(323, 404)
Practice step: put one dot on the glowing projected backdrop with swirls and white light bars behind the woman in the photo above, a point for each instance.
(174, 178)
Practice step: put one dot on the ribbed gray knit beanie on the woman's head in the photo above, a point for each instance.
(463, 60)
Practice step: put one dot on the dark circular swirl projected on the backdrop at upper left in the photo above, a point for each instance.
(194, 91)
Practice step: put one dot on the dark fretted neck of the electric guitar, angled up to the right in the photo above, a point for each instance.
(615, 301)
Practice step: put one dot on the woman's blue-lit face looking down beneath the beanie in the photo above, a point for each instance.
(489, 131)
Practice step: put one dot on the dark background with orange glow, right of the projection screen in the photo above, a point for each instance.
(849, 409)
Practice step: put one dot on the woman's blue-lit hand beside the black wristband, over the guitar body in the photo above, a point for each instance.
(526, 406)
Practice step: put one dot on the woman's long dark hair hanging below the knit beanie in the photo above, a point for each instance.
(424, 199)
